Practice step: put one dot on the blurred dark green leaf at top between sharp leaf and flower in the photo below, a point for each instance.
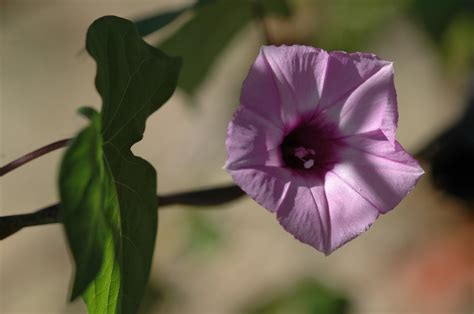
(213, 26)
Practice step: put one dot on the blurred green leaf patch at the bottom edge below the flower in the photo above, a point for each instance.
(306, 297)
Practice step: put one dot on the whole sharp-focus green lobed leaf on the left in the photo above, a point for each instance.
(108, 195)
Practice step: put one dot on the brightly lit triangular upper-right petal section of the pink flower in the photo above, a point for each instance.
(371, 106)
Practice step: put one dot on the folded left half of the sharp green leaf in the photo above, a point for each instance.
(83, 171)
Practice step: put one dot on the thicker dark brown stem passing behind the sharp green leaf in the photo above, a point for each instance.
(48, 215)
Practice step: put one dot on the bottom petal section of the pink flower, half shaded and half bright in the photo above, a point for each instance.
(326, 213)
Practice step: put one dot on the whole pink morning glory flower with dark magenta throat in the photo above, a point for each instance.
(314, 142)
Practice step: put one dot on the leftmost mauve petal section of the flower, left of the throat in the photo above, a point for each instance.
(252, 141)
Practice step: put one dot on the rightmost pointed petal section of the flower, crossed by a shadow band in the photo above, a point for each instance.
(380, 172)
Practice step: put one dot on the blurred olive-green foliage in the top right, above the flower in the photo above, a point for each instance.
(351, 25)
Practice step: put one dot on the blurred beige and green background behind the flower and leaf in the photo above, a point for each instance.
(236, 258)
